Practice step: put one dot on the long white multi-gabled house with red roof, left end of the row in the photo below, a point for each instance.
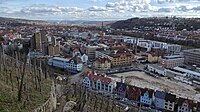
(99, 82)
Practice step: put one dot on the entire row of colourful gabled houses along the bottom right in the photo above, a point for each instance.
(163, 101)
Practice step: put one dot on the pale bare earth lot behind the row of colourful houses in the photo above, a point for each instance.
(140, 79)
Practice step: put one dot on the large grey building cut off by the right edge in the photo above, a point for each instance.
(192, 57)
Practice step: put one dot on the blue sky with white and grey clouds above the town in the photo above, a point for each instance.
(98, 9)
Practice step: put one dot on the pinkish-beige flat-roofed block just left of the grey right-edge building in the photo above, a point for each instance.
(172, 61)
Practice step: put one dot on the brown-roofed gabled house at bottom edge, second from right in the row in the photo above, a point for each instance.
(185, 105)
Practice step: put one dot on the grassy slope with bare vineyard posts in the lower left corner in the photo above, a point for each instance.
(31, 98)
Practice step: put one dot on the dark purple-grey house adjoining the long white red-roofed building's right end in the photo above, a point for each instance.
(121, 89)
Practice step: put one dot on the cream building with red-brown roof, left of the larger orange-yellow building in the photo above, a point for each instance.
(102, 63)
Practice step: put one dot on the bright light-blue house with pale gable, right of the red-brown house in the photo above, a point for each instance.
(146, 97)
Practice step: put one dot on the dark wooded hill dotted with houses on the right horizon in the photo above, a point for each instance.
(178, 23)
